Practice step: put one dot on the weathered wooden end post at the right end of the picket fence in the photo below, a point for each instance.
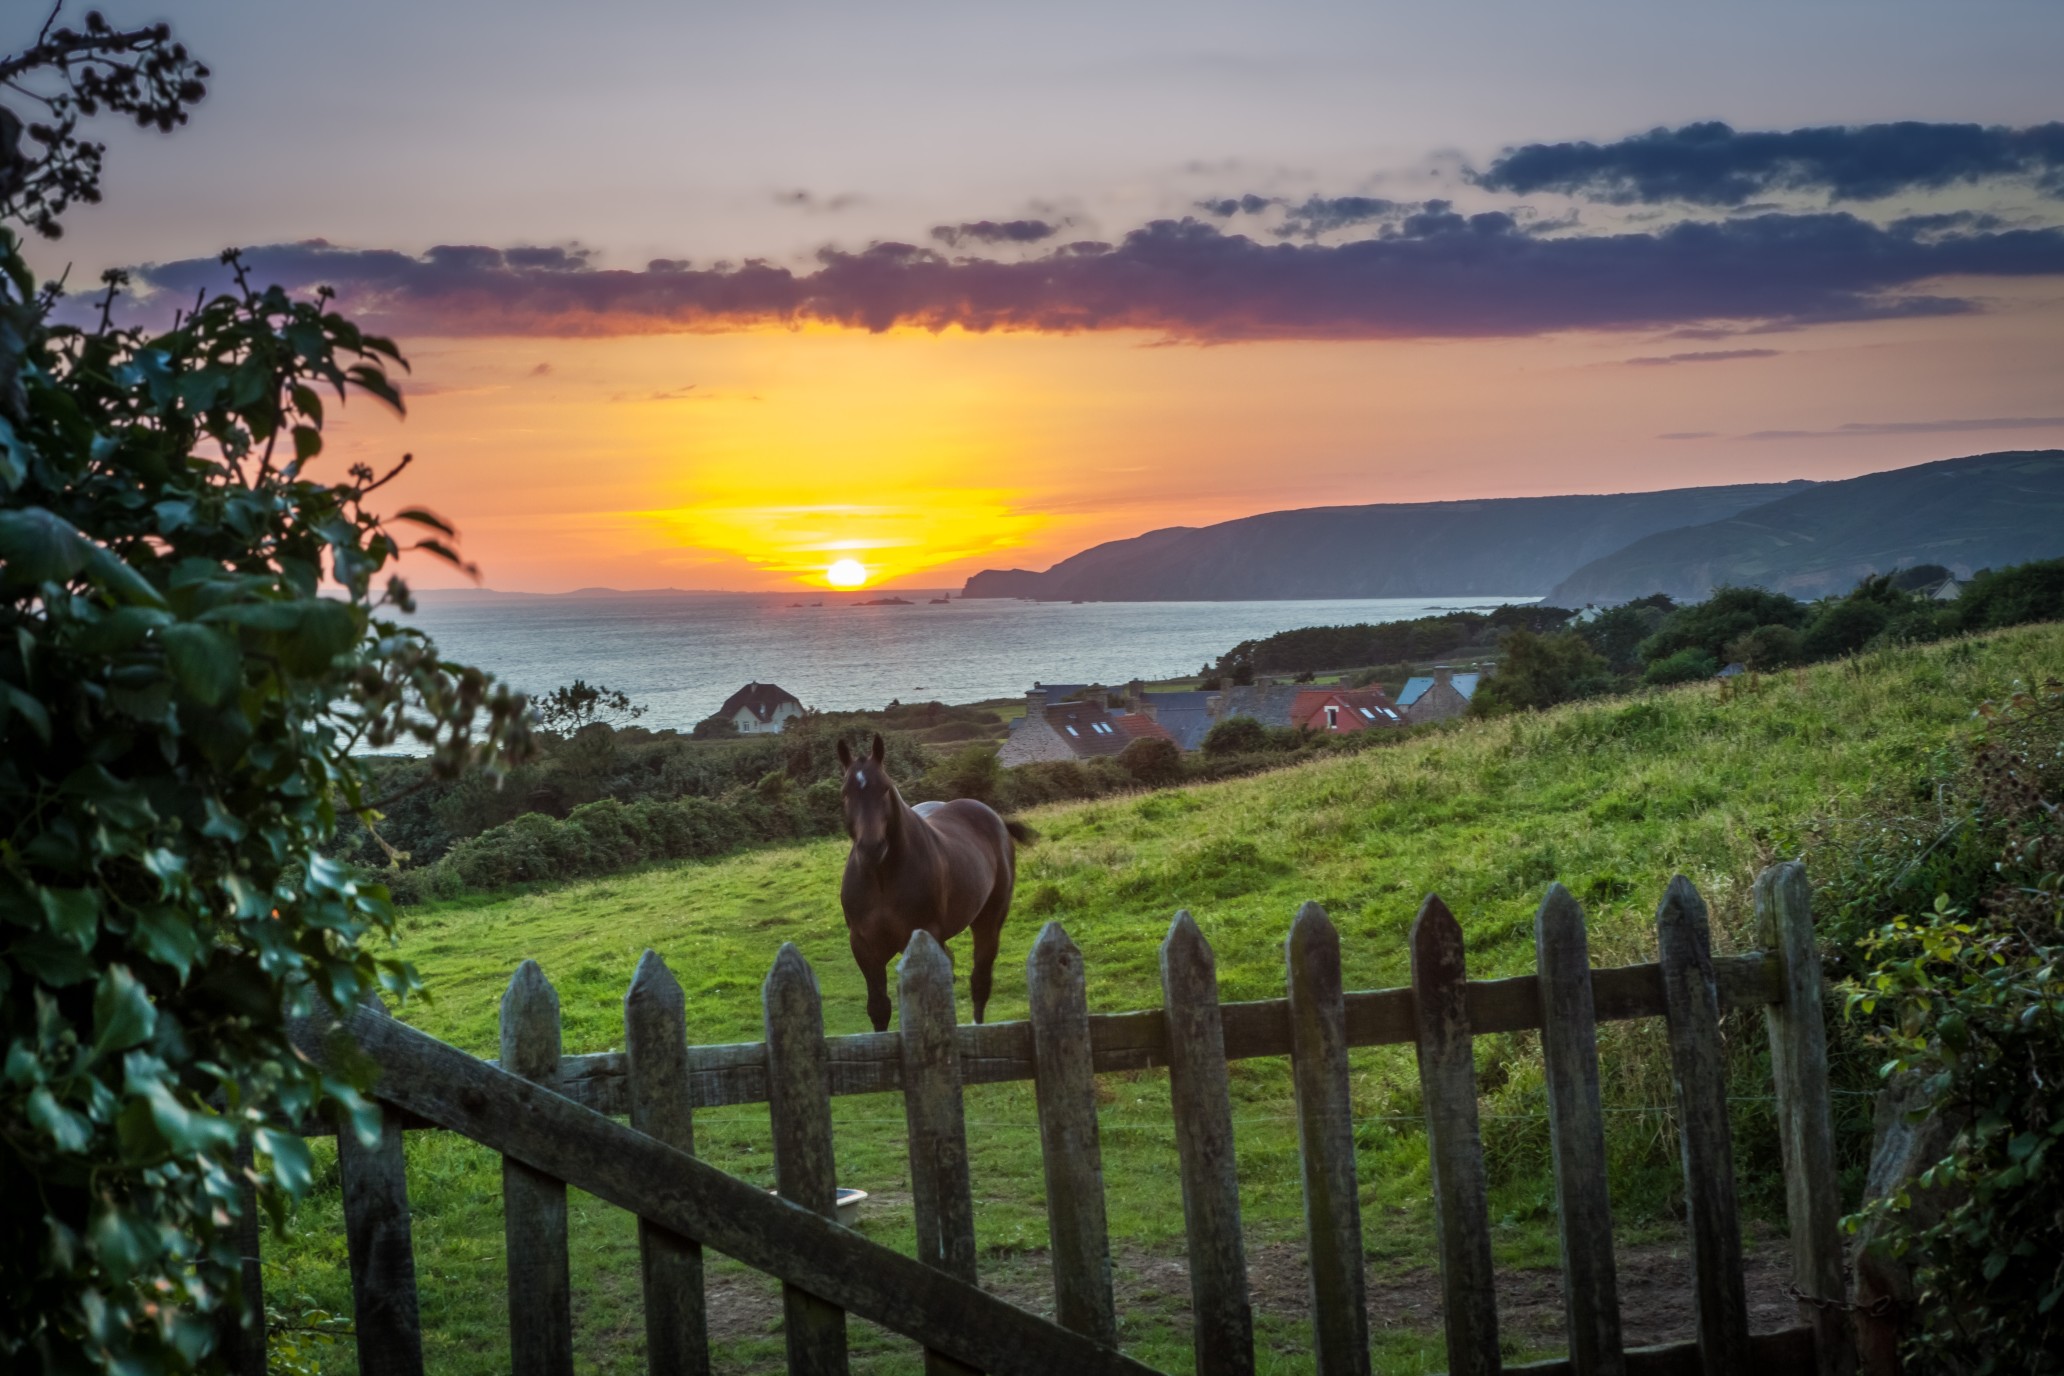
(1799, 1066)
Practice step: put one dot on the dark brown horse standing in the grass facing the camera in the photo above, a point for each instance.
(936, 867)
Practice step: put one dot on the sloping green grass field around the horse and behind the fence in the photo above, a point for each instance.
(1609, 797)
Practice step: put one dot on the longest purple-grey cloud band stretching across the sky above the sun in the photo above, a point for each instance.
(1438, 273)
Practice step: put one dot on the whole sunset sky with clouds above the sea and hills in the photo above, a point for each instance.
(719, 296)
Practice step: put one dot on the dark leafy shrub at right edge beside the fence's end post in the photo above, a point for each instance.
(1962, 1000)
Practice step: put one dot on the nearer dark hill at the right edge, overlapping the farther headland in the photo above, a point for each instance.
(1966, 513)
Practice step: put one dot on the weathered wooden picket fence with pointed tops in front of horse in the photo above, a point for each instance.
(554, 1121)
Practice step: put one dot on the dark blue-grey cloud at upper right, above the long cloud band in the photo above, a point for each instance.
(1716, 166)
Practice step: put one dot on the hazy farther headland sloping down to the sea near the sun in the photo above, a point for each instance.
(1491, 548)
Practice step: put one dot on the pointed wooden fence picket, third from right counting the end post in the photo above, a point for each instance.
(1578, 1138)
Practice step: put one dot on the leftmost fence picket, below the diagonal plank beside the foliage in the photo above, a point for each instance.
(377, 1241)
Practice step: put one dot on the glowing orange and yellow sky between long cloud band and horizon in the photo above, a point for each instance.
(756, 459)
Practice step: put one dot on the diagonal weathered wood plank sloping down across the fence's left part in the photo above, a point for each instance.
(655, 1181)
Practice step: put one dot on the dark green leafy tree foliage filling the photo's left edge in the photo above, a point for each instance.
(193, 645)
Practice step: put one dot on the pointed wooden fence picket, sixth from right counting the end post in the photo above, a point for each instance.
(1202, 1105)
